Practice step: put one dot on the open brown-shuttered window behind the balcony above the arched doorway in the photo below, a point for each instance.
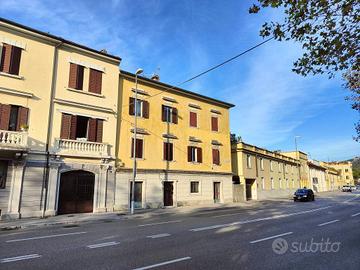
(76, 127)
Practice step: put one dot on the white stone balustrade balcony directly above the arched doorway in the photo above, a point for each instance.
(82, 148)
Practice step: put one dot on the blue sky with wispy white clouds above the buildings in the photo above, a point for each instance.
(179, 39)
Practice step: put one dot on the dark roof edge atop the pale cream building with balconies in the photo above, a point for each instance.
(60, 39)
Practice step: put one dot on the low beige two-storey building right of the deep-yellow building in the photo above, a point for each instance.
(260, 174)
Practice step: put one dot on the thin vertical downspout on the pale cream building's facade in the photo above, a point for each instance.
(49, 128)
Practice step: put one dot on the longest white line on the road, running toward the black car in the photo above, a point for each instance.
(256, 220)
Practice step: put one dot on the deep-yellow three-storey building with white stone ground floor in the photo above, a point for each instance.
(183, 146)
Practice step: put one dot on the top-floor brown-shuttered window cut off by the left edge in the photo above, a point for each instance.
(10, 59)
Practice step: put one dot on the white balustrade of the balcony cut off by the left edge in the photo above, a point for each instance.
(13, 139)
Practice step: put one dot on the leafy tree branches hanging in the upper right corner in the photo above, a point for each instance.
(329, 31)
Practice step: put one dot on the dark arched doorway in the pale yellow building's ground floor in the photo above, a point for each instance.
(76, 193)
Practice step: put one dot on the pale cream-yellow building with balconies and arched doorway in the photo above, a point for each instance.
(58, 116)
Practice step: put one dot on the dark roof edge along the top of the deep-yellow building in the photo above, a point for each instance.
(179, 90)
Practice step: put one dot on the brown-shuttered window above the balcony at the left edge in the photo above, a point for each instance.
(13, 117)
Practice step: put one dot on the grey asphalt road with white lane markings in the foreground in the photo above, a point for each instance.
(323, 234)
